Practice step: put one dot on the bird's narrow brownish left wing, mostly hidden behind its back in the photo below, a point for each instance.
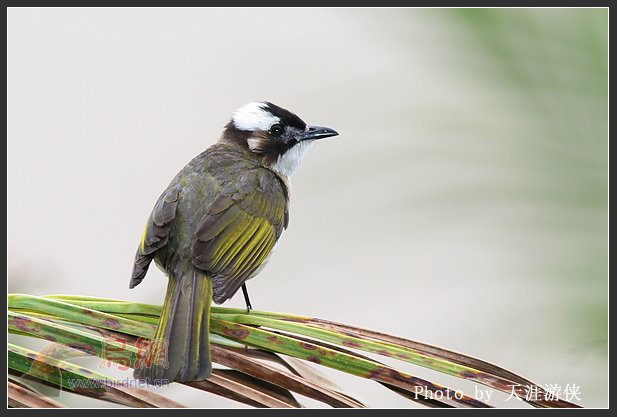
(156, 233)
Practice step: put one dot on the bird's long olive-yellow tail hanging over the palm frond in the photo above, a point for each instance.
(180, 350)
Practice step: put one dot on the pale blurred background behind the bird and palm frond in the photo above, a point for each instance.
(464, 204)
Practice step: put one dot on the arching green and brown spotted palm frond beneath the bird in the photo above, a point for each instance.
(264, 354)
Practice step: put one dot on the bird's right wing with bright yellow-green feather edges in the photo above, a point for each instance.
(238, 233)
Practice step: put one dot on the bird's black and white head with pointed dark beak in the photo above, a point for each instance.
(277, 137)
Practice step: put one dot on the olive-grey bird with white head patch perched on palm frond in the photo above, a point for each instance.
(216, 226)
